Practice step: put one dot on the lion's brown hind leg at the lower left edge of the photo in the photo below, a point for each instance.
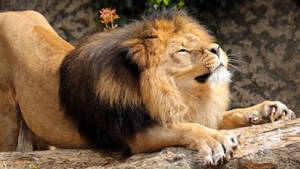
(9, 121)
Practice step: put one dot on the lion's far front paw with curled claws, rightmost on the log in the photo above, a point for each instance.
(275, 110)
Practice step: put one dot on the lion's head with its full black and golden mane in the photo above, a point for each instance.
(165, 68)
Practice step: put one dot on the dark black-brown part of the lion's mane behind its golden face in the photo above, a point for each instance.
(100, 83)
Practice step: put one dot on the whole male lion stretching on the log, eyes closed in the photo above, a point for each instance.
(154, 83)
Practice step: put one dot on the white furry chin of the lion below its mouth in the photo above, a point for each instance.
(220, 76)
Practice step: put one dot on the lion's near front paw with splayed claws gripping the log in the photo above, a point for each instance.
(215, 147)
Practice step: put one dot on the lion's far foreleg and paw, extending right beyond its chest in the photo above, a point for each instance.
(267, 111)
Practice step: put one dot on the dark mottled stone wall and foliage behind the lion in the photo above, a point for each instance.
(262, 35)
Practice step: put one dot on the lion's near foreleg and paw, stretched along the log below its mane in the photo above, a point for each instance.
(212, 145)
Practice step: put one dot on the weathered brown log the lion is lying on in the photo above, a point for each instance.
(274, 145)
